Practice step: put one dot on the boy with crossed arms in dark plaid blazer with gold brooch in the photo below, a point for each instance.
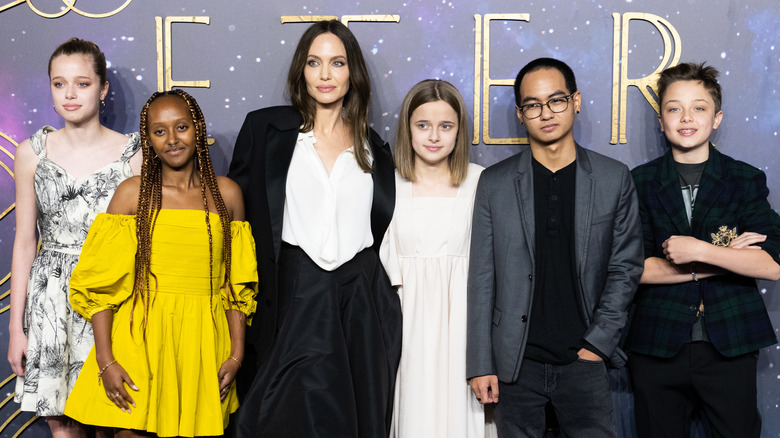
(709, 233)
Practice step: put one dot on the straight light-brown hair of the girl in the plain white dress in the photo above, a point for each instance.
(432, 90)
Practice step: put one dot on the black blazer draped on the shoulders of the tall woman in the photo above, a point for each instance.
(261, 159)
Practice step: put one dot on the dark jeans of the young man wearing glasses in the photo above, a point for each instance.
(578, 392)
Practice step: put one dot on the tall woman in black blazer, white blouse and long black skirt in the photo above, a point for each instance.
(318, 185)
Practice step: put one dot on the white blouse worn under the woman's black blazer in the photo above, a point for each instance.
(328, 217)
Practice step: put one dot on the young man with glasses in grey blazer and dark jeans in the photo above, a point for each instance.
(555, 260)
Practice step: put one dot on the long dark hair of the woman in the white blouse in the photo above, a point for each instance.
(355, 112)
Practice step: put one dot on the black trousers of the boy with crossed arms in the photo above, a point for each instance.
(666, 392)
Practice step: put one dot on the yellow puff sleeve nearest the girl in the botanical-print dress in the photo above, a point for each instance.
(105, 274)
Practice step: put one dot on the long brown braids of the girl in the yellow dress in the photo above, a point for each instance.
(150, 203)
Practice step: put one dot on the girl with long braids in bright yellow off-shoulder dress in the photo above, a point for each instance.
(168, 279)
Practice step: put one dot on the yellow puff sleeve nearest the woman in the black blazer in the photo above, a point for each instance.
(243, 271)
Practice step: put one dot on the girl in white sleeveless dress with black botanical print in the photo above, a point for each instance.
(64, 178)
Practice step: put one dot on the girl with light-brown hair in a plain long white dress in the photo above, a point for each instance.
(425, 253)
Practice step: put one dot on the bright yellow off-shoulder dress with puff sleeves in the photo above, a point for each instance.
(175, 363)
